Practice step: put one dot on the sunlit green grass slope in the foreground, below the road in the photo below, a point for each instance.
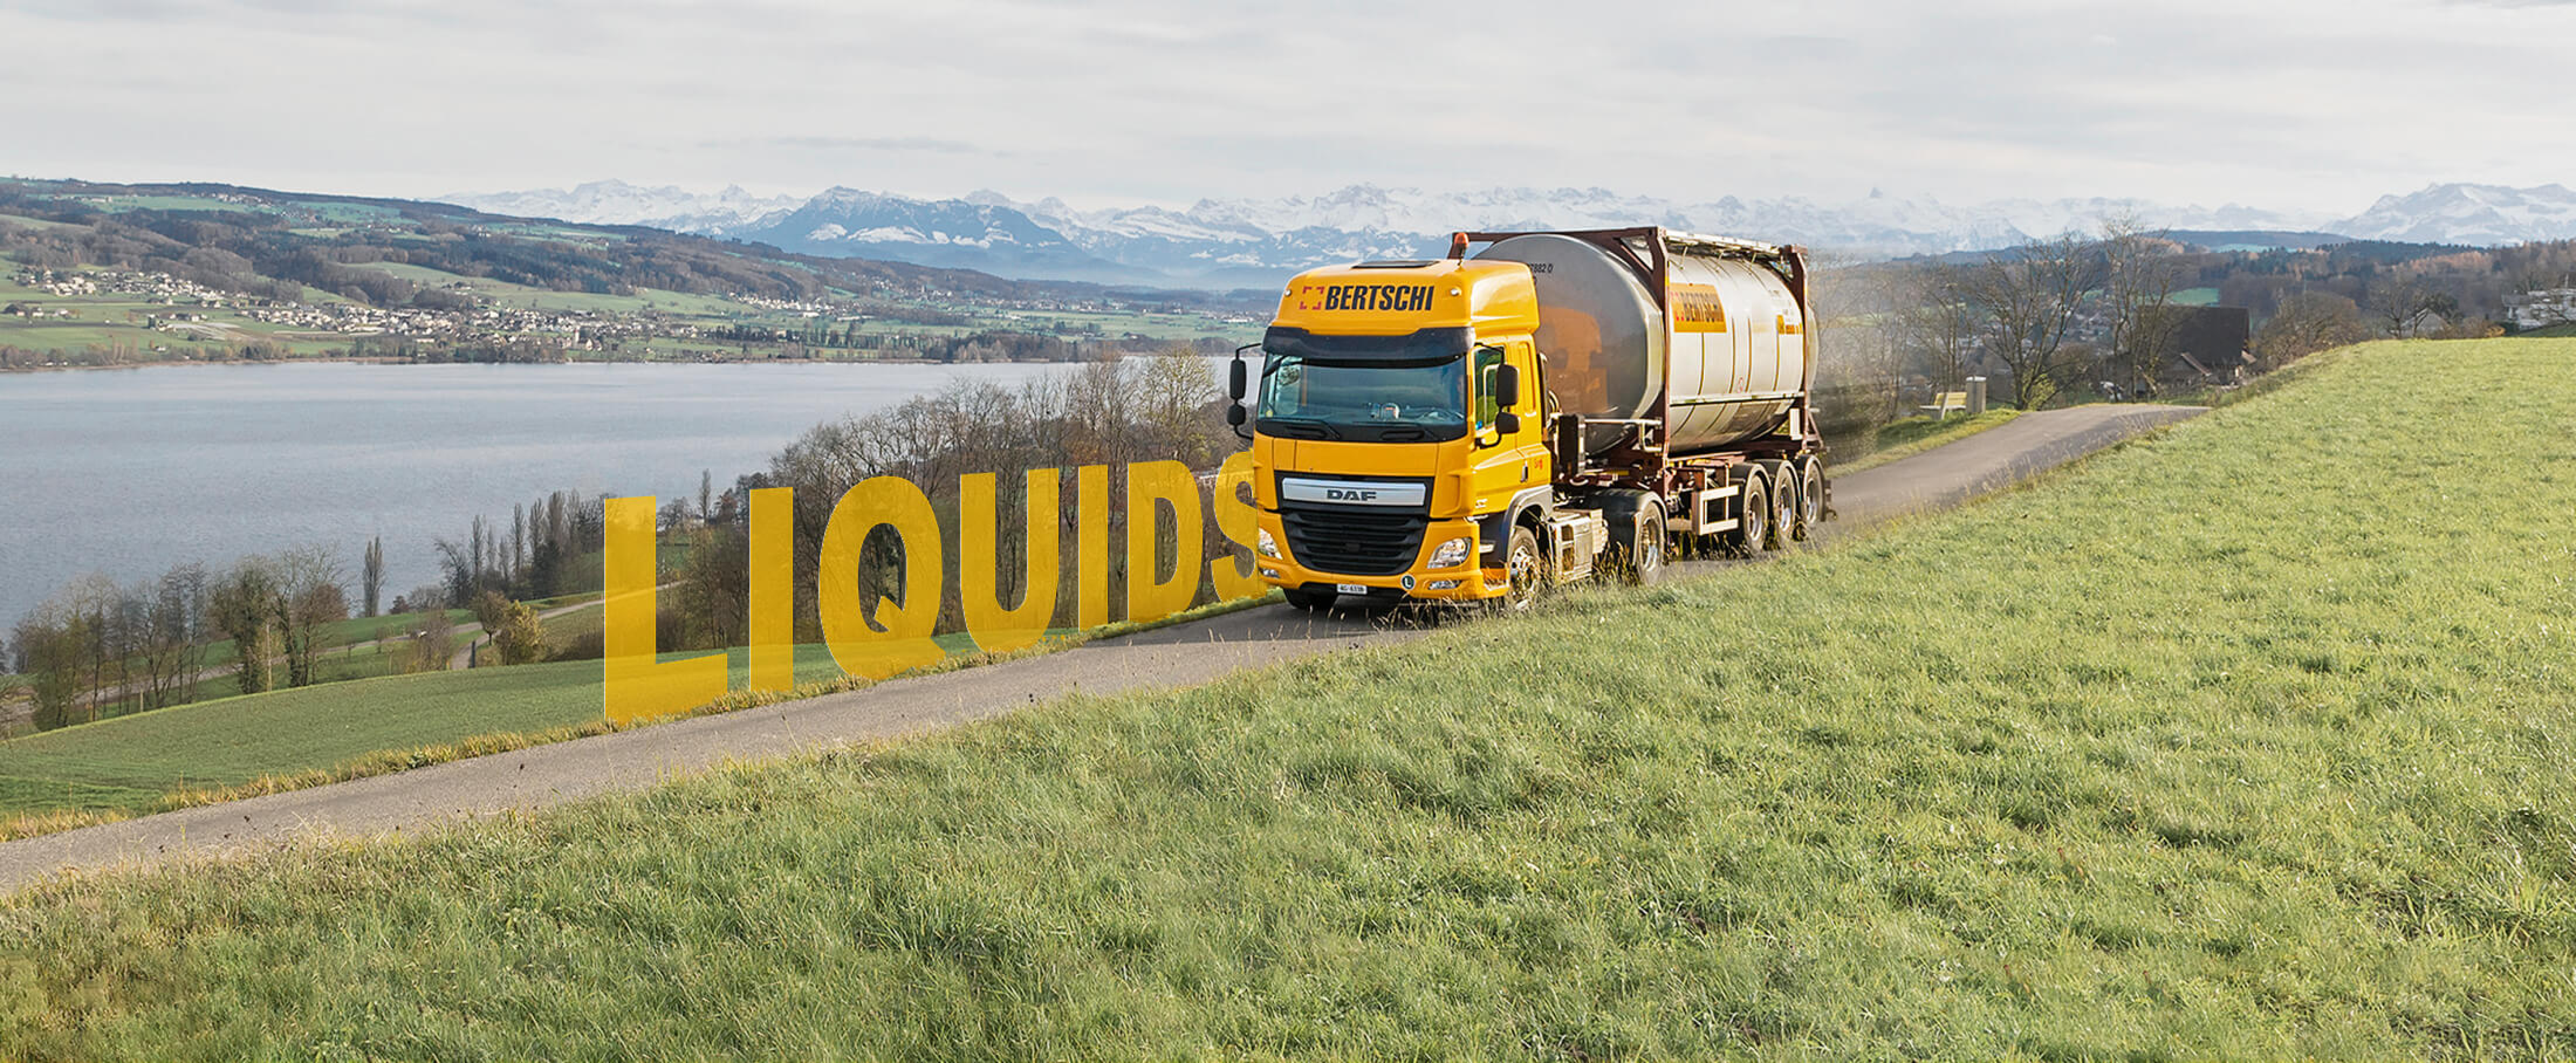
(2245, 740)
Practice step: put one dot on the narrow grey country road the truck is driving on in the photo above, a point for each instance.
(1168, 658)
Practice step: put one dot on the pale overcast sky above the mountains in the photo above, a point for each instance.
(2307, 104)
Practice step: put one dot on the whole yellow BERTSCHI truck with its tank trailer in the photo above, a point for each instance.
(1555, 408)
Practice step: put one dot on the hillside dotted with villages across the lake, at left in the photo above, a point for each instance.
(125, 274)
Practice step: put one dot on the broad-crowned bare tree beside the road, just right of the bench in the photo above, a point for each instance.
(2029, 300)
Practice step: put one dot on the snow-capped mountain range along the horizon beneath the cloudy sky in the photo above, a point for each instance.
(1222, 243)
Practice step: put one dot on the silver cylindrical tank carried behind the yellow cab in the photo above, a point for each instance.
(1732, 346)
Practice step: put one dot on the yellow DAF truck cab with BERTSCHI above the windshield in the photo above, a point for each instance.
(1397, 431)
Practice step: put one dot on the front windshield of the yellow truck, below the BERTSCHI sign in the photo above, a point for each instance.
(1364, 400)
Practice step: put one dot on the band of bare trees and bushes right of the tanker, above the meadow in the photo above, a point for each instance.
(2096, 315)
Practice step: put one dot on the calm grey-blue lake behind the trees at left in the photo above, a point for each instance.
(130, 472)
